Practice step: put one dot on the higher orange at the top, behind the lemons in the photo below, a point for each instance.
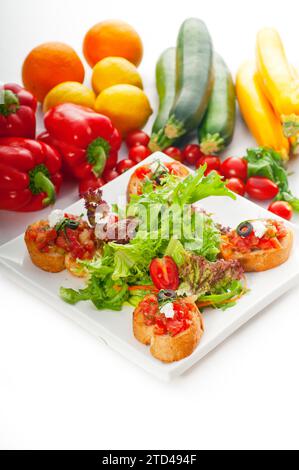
(112, 38)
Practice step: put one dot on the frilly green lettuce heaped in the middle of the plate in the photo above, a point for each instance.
(163, 229)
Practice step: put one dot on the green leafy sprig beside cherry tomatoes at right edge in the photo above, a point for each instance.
(268, 163)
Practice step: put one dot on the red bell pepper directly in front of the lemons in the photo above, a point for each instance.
(87, 141)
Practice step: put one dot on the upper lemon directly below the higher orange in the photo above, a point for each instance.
(113, 71)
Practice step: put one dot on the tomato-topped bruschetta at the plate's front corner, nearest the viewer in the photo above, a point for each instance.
(172, 330)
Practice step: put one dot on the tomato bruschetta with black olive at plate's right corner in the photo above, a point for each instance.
(258, 245)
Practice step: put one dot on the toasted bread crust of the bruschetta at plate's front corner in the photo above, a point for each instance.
(168, 348)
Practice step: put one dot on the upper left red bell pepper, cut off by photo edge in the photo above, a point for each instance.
(17, 112)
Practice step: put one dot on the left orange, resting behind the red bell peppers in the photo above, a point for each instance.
(49, 64)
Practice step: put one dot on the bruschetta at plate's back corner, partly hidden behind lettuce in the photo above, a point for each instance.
(154, 172)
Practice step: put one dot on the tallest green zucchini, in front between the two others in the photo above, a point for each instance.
(194, 82)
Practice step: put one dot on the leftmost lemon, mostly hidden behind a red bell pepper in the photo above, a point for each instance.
(69, 92)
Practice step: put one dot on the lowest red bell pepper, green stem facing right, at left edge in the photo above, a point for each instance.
(30, 174)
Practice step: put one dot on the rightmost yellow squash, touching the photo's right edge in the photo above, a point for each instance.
(279, 82)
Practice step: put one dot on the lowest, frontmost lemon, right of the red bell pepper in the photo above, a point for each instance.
(126, 105)
